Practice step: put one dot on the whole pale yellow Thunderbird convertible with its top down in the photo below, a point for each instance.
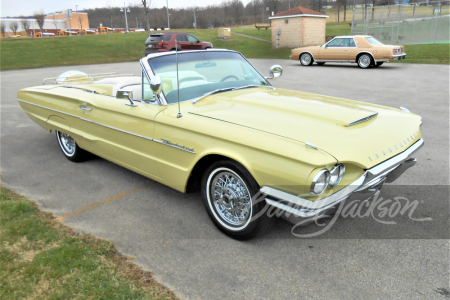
(209, 121)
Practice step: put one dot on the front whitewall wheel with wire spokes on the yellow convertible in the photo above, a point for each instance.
(228, 191)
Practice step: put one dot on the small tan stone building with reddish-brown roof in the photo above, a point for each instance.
(298, 27)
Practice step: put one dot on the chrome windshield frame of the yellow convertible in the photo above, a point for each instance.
(148, 71)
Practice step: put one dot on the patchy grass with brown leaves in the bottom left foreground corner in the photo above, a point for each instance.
(41, 259)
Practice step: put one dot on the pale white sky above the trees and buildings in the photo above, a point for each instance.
(28, 7)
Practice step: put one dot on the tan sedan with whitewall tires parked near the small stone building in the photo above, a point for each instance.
(364, 50)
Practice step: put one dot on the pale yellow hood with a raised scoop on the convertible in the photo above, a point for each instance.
(319, 120)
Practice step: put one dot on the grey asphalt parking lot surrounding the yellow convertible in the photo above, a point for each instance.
(170, 234)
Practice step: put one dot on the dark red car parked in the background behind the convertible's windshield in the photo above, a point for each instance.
(160, 42)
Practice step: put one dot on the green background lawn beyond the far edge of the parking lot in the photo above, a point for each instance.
(95, 49)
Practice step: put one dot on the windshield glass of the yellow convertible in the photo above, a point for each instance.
(203, 72)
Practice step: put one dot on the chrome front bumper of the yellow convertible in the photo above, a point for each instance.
(365, 186)
